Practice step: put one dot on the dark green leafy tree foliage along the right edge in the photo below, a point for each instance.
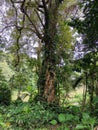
(87, 27)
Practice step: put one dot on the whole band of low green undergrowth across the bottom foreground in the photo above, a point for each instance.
(35, 116)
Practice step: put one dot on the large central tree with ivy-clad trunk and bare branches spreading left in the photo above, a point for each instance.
(38, 19)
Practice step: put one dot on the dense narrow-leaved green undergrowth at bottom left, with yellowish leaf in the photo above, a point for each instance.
(25, 116)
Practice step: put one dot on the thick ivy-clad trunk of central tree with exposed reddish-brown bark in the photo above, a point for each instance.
(47, 78)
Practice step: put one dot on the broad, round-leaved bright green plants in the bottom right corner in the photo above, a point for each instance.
(80, 121)
